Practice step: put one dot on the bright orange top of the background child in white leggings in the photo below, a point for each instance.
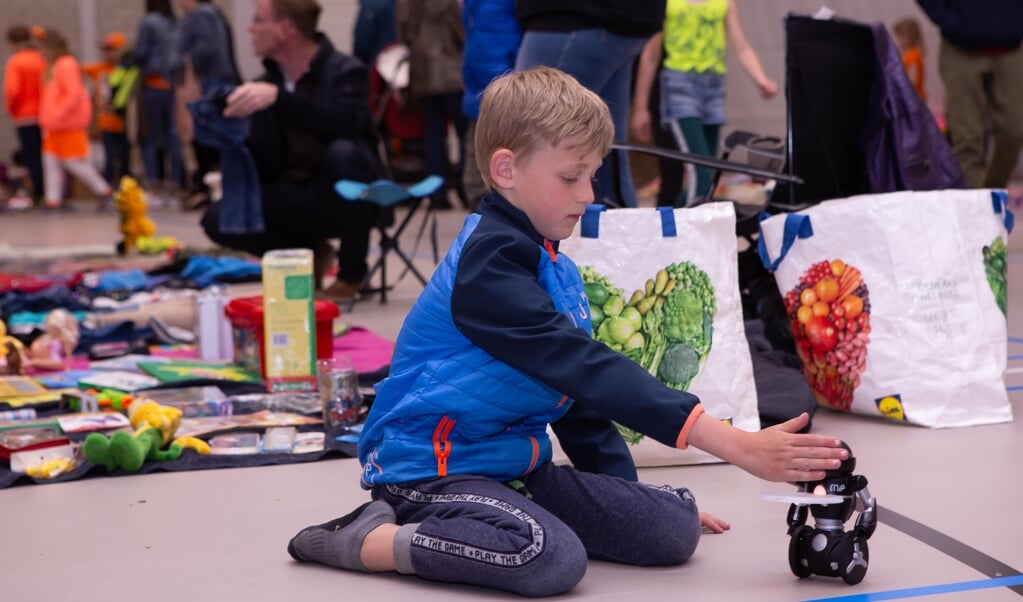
(66, 104)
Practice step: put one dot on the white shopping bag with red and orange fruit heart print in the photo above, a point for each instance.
(898, 303)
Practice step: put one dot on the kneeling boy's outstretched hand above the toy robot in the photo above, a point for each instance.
(776, 454)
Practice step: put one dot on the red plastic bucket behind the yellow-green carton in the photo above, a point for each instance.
(246, 316)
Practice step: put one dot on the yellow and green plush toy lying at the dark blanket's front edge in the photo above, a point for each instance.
(155, 428)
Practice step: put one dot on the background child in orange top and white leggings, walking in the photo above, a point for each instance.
(65, 114)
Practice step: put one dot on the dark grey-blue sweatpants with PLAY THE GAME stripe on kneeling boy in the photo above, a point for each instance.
(479, 532)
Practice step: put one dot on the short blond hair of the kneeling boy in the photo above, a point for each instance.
(523, 109)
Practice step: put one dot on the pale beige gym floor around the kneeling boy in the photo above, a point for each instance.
(948, 505)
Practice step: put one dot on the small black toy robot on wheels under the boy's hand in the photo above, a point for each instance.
(827, 549)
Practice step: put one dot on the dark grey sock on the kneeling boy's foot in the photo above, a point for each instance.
(339, 543)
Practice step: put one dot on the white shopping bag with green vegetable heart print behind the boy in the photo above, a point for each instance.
(664, 290)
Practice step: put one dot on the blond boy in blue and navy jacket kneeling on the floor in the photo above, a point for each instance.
(456, 449)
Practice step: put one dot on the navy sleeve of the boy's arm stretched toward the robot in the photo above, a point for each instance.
(500, 306)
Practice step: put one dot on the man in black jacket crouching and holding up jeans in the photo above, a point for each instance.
(310, 127)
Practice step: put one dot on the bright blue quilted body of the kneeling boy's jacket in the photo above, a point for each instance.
(450, 408)
